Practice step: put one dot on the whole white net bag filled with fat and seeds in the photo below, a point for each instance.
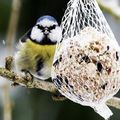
(86, 67)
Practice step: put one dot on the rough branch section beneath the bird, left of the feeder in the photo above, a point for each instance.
(44, 85)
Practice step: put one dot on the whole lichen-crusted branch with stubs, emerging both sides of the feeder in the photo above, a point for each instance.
(39, 84)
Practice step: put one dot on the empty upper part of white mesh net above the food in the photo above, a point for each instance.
(83, 13)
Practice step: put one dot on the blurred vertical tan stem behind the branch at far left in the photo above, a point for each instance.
(14, 17)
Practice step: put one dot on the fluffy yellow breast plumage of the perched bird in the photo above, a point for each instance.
(31, 52)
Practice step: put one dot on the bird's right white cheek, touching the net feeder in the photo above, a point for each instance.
(56, 35)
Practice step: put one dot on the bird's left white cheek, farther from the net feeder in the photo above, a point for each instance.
(36, 34)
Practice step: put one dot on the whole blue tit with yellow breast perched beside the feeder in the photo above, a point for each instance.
(37, 47)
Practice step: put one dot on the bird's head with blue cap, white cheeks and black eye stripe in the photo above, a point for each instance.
(46, 31)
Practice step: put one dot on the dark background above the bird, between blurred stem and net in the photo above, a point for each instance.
(32, 10)
